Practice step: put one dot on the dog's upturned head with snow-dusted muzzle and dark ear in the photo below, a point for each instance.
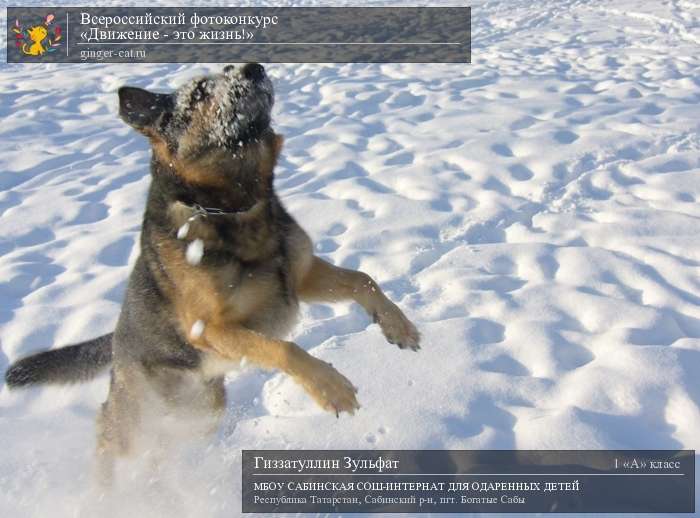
(209, 120)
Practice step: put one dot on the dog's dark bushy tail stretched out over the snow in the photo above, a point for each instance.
(72, 364)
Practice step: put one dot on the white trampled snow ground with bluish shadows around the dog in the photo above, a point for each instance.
(535, 213)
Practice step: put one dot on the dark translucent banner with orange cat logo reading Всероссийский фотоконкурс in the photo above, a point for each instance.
(237, 34)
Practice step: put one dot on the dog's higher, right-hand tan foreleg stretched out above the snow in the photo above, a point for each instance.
(324, 282)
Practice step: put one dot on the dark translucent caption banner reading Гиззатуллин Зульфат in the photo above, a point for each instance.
(465, 481)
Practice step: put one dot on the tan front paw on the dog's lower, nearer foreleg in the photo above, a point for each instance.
(330, 389)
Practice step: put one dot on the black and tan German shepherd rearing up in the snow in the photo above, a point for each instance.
(222, 270)
